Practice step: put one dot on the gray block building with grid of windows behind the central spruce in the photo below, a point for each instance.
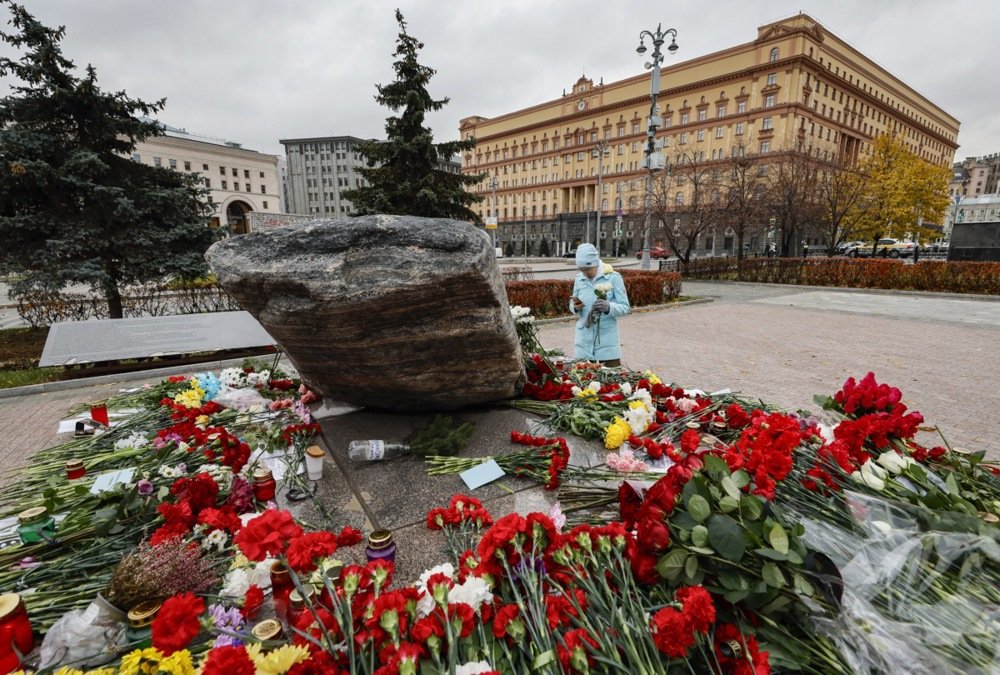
(320, 169)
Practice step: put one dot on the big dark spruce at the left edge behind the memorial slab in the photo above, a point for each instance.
(74, 207)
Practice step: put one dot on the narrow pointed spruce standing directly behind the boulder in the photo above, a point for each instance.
(404, 174)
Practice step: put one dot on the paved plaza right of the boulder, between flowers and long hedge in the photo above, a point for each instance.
(777, 343)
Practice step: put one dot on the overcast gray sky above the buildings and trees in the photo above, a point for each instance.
(255, 71)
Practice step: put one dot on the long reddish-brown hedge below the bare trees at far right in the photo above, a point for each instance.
(950, 277)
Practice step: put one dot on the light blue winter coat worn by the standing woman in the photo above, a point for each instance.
(600, 340)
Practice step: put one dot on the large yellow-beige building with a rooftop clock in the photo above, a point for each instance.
(797, 86)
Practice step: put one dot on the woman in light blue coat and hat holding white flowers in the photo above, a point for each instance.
(599, 298)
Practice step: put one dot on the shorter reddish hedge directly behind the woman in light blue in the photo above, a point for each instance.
(550, 297)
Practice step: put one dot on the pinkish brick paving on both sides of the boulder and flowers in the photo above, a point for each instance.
(782, 354)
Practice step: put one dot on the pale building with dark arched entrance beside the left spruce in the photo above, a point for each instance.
(240, 180)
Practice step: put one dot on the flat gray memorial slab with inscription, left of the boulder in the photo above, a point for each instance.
(72, 342)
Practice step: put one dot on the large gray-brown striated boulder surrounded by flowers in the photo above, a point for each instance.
(394, 312)
